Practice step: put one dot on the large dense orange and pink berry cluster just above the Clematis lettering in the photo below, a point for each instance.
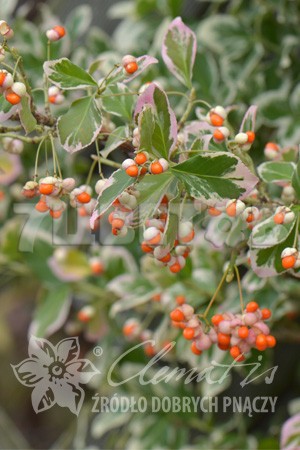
(237, 333)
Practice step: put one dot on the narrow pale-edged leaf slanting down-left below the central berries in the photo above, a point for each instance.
(117, 183)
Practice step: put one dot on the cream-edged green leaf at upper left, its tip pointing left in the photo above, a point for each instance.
(66, 75)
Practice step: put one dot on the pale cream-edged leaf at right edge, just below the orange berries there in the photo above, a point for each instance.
(267, 233)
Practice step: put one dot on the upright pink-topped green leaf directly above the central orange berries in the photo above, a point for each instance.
(161, 138)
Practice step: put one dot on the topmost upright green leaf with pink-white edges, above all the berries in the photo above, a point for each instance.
(179, 51)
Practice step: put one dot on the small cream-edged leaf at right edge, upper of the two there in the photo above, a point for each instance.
(276, 171)
